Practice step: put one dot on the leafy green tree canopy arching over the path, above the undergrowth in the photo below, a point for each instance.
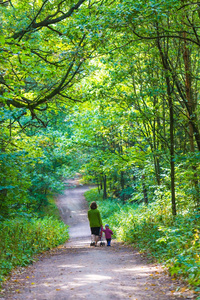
(126, 89)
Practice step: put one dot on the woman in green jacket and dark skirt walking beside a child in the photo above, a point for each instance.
(95, 222)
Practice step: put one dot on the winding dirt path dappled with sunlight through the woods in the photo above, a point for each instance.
(78, 271)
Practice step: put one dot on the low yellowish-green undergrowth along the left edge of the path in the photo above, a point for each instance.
(22, 238)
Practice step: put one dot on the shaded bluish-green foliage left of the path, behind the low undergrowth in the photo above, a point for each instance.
(29, 175)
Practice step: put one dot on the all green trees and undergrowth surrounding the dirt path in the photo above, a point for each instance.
(109, 89)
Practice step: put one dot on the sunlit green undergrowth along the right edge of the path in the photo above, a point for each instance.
(173, 241)
